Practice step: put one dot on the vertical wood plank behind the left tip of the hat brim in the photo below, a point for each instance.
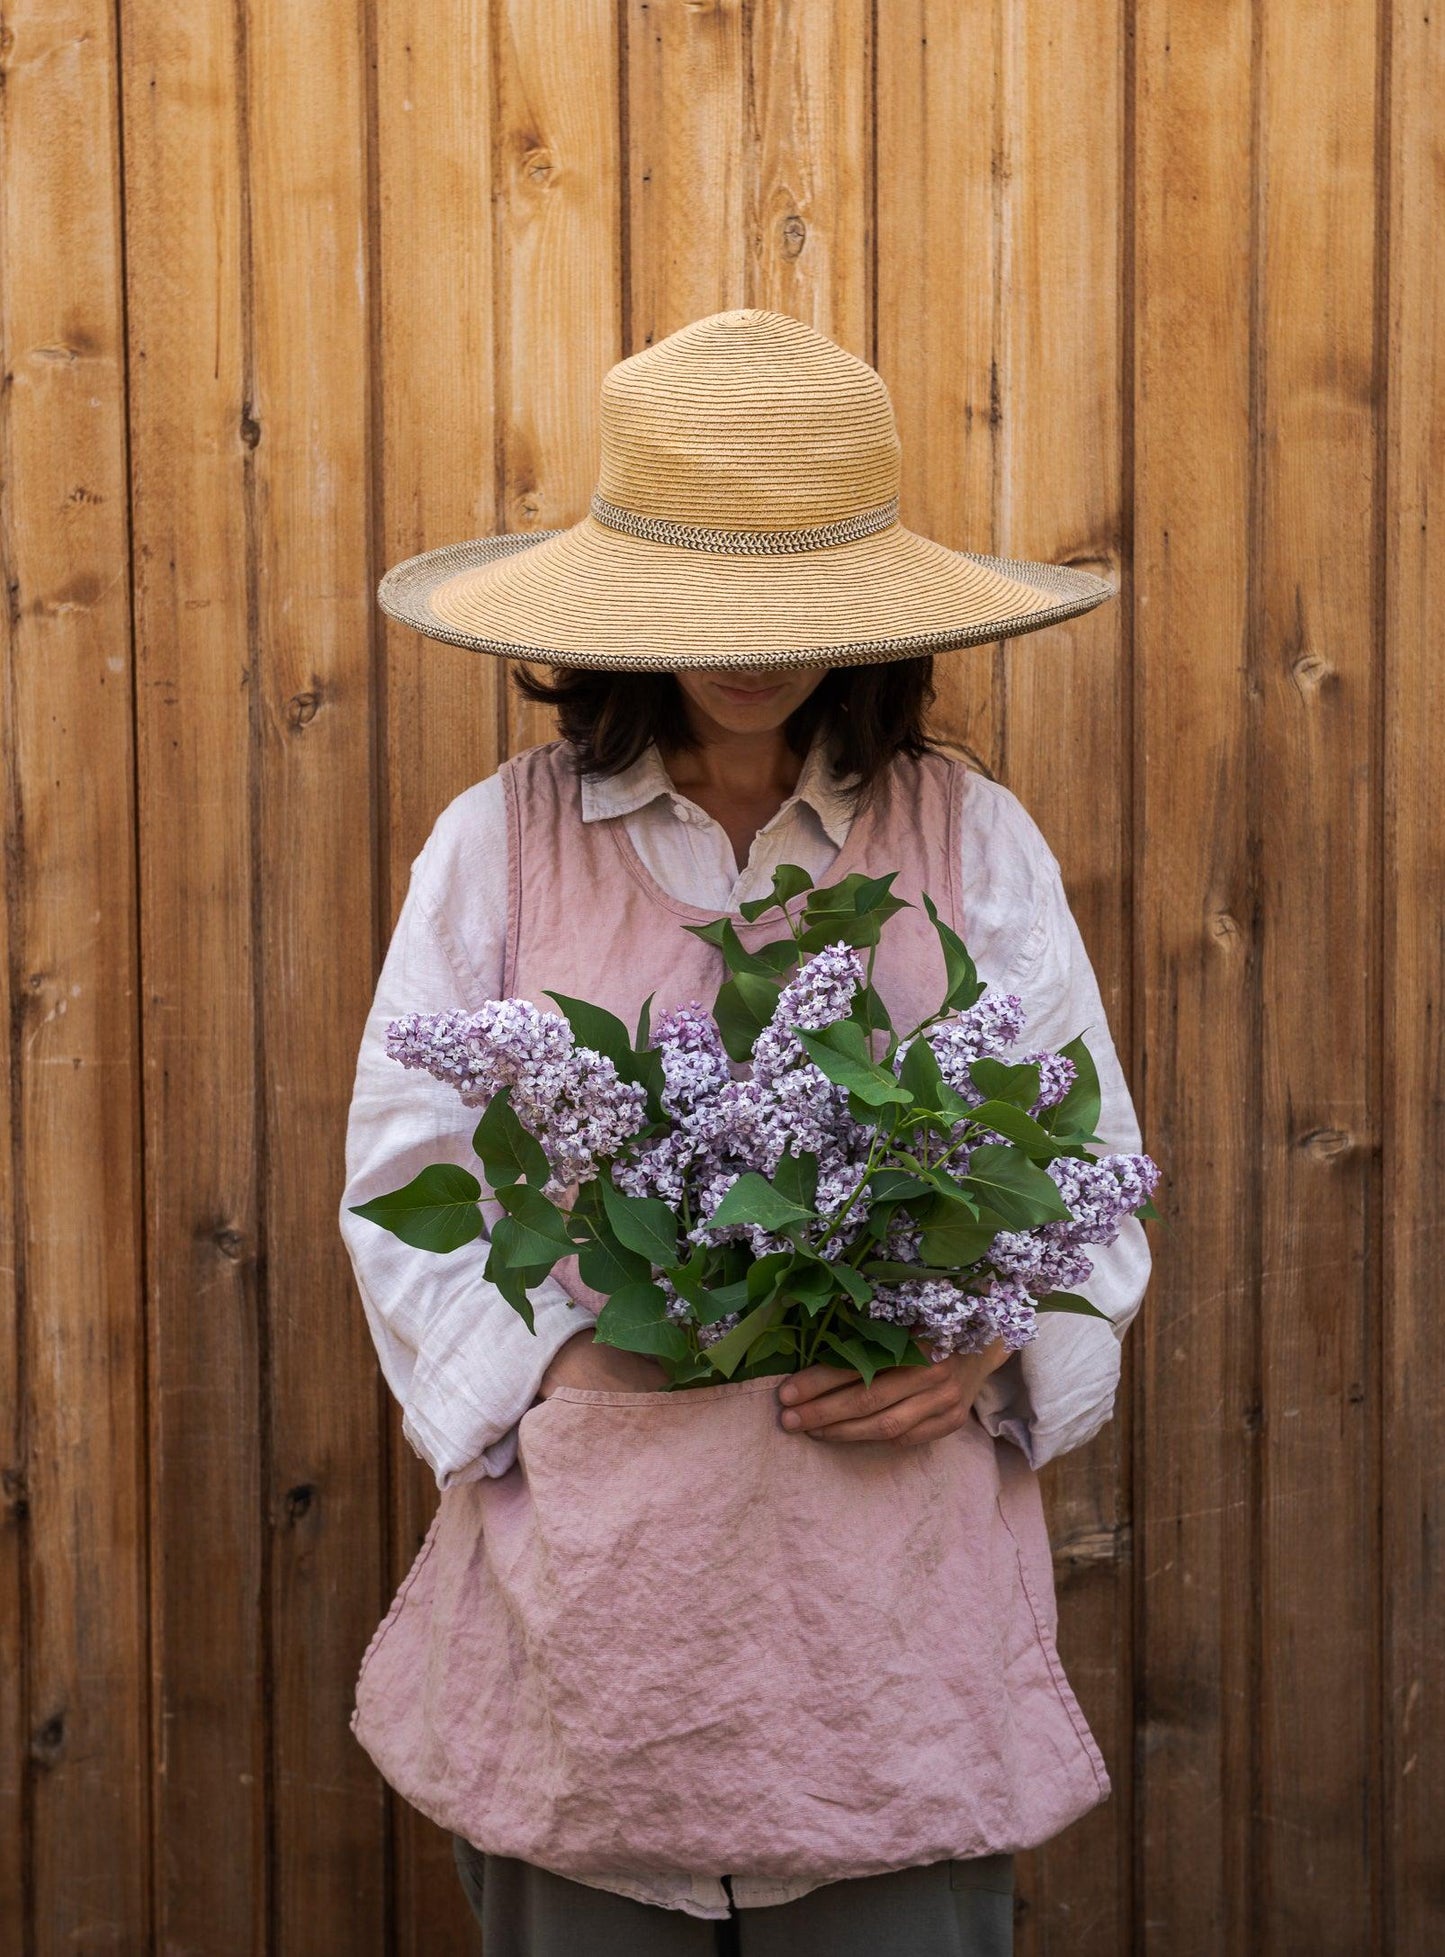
(438, 709)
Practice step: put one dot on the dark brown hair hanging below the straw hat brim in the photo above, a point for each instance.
(868, 713)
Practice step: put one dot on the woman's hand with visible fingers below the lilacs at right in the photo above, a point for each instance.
(906, 1404)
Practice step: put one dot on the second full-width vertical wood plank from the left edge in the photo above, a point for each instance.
(193, 439)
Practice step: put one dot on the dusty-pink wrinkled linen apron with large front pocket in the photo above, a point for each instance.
(676, 1637)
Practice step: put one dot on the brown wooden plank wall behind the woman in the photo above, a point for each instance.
(295, 293)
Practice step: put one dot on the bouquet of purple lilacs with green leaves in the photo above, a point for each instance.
(853, 1197)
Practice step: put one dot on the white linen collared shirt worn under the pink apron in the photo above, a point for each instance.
(453, 1351)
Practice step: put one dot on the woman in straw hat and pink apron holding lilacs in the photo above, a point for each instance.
(743, 639)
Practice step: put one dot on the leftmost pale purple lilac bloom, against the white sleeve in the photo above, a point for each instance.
(569, 1097)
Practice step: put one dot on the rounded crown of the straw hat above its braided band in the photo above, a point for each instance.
(747, 422)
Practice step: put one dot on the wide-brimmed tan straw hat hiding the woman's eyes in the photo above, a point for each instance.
(747, 514)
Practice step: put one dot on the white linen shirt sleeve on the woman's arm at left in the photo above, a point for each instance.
(461, 1363)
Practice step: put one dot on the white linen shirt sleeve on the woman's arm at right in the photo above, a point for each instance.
(1058, 1390)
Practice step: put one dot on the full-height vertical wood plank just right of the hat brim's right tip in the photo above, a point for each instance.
(1197, 976)
